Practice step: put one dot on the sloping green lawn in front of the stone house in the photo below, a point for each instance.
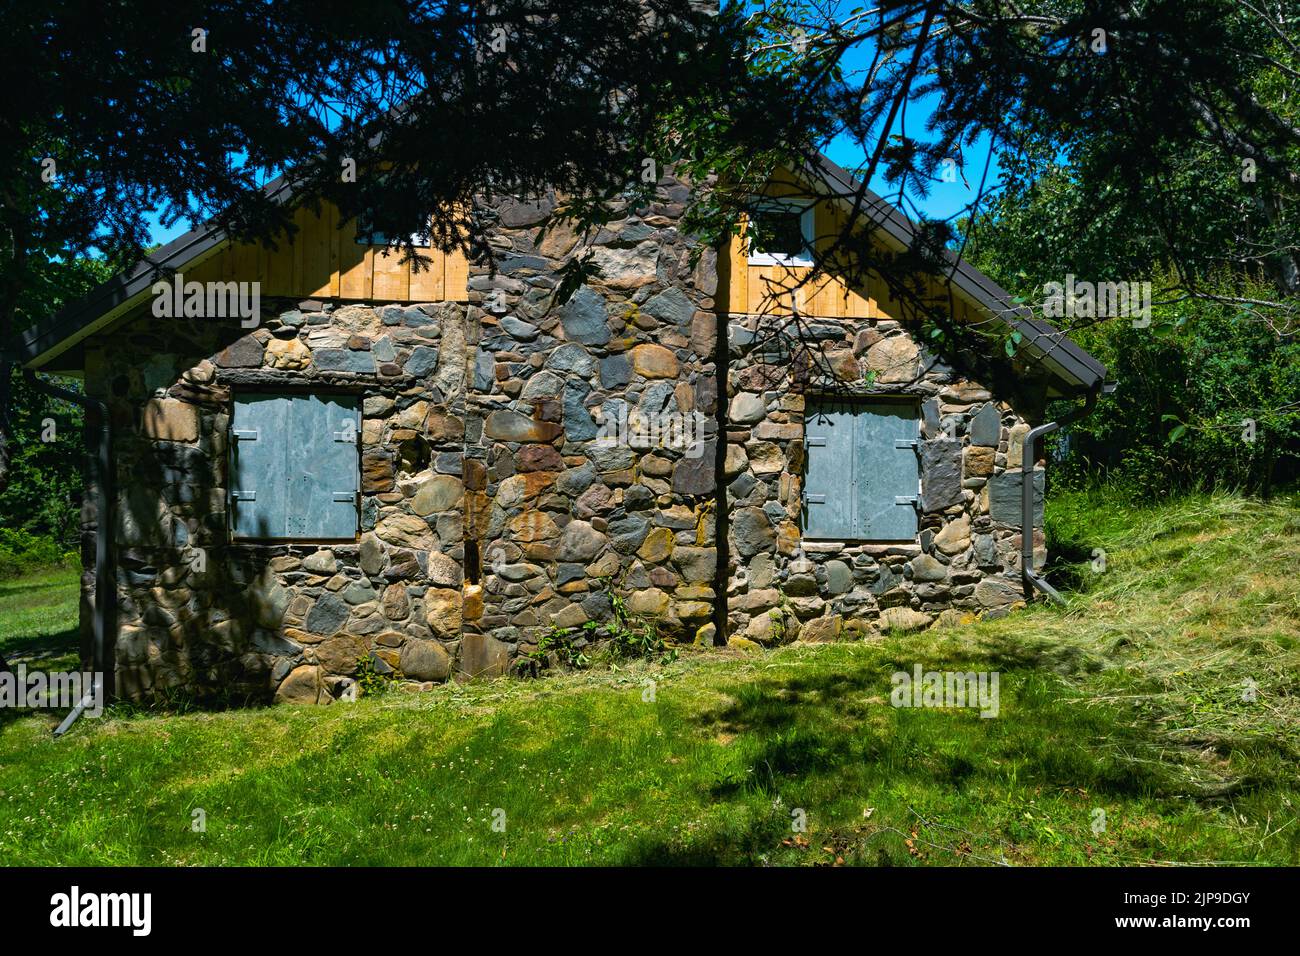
(1129, 702)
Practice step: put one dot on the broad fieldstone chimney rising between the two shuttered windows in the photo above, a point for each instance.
(564, 517)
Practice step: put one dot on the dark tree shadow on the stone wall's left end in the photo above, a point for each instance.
(197, 616)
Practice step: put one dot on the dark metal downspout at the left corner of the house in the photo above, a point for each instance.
(106, 587)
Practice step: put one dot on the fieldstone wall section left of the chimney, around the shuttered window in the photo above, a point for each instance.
(205, 613)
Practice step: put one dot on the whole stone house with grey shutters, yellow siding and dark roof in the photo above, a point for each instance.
(428, 470)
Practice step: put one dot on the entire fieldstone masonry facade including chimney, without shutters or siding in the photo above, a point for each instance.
(492, 508)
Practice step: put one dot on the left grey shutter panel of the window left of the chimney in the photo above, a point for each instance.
(258, 487)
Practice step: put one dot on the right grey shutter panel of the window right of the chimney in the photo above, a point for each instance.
(887, 470)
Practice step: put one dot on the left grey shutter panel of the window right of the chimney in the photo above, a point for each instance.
(829, 490)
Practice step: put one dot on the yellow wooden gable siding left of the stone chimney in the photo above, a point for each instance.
(326, 262)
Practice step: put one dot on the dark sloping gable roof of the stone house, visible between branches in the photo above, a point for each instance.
(1072, 369)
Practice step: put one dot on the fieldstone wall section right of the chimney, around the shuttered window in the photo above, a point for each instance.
(968, 553)
